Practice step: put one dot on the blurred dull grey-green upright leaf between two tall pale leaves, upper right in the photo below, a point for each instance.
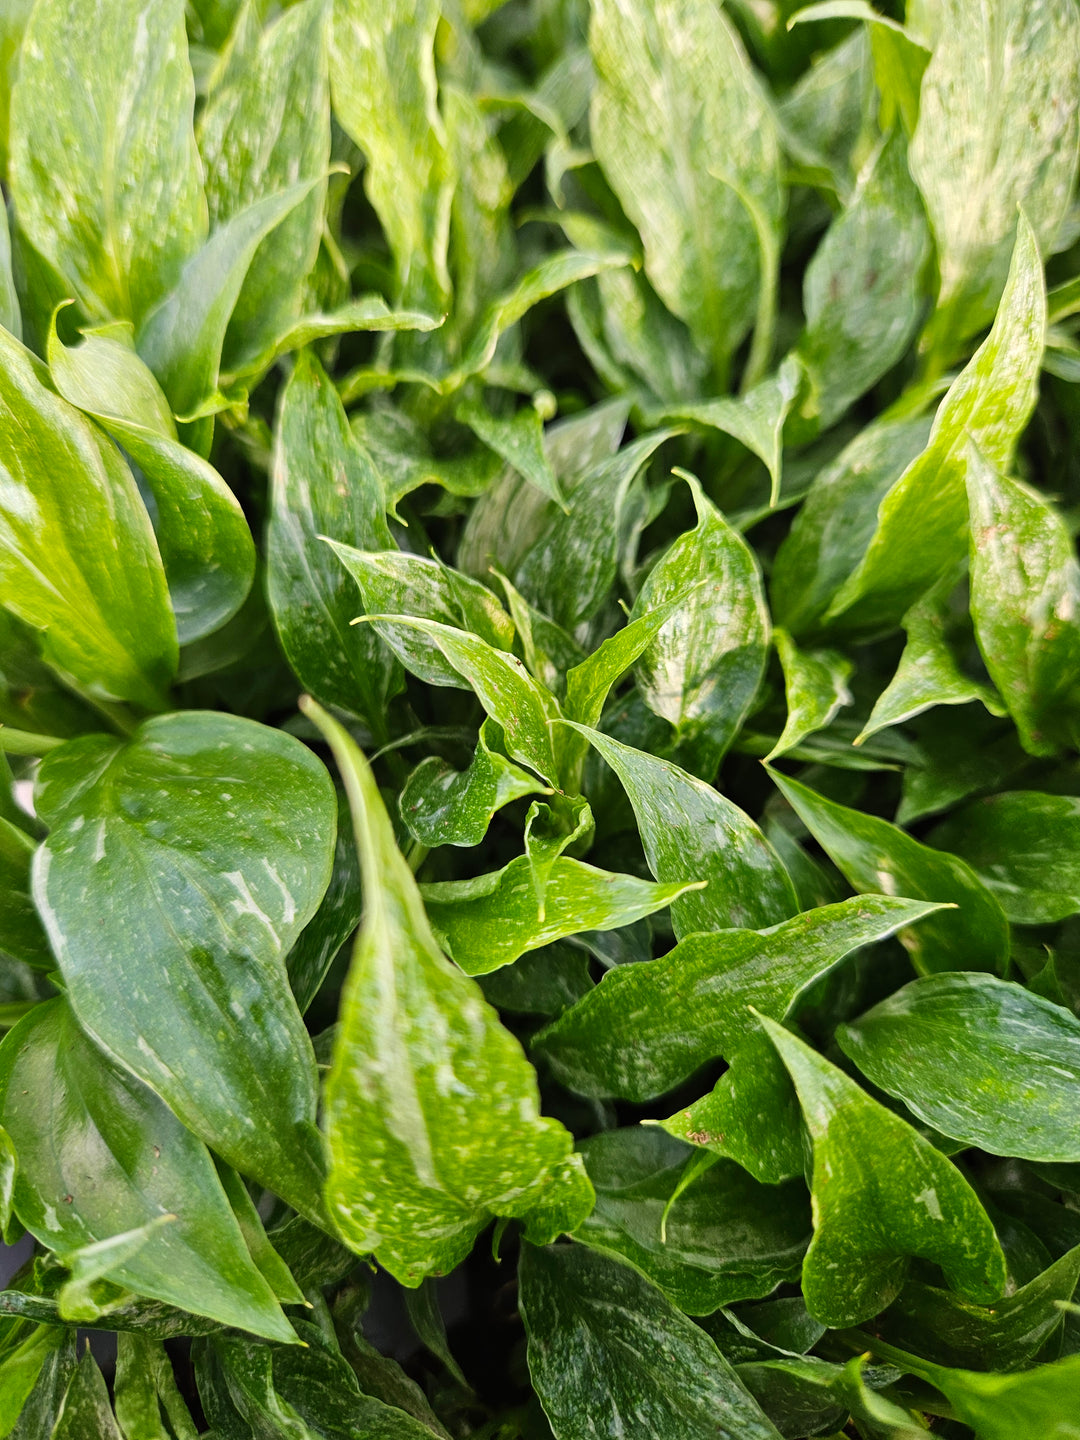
(863, 292)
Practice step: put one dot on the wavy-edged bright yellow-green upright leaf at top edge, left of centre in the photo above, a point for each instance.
(382, 74)
